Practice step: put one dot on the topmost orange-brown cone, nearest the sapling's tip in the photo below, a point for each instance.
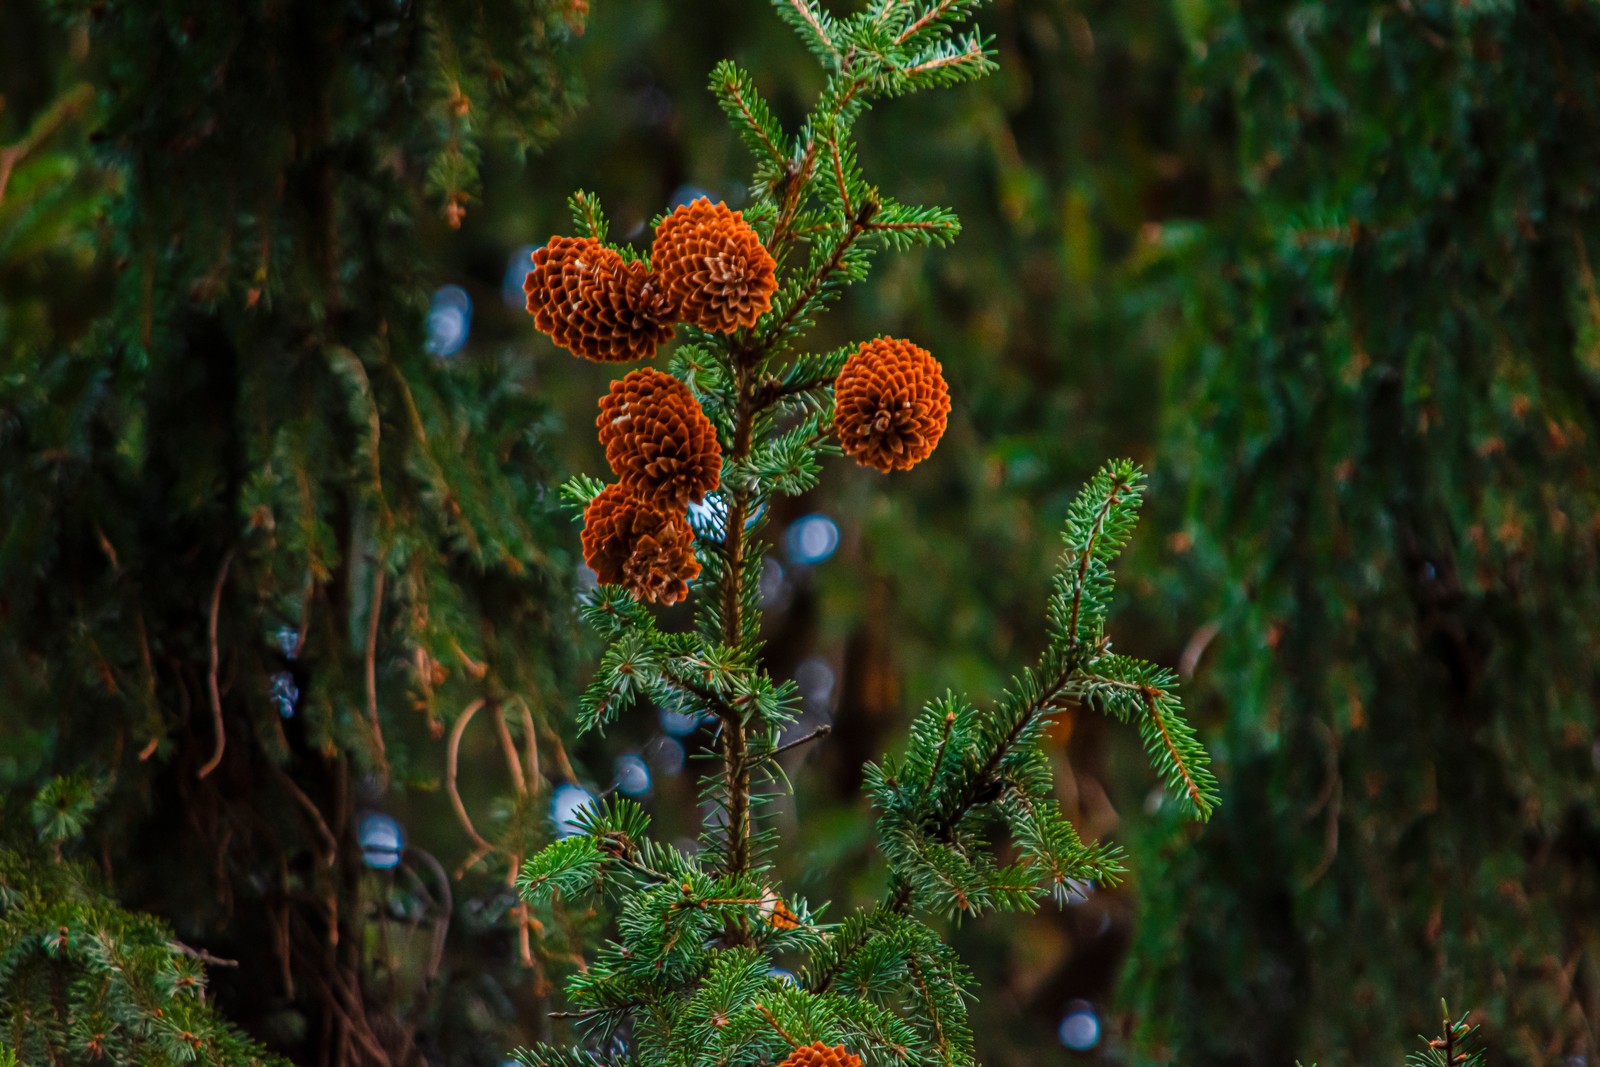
(714, 268)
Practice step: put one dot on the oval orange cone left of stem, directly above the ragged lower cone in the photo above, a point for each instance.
(658, 441)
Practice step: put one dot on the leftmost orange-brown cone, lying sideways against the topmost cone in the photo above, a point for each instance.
(594, 305)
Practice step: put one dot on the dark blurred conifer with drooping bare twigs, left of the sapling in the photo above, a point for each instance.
(263, 540)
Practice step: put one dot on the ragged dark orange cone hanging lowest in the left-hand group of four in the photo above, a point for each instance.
(646, 549)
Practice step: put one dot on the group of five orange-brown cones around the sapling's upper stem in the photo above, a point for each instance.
(708, 268)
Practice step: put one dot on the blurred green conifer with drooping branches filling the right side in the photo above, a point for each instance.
(1390, 394)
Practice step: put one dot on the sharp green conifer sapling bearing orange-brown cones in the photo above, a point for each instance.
(687, 978)
